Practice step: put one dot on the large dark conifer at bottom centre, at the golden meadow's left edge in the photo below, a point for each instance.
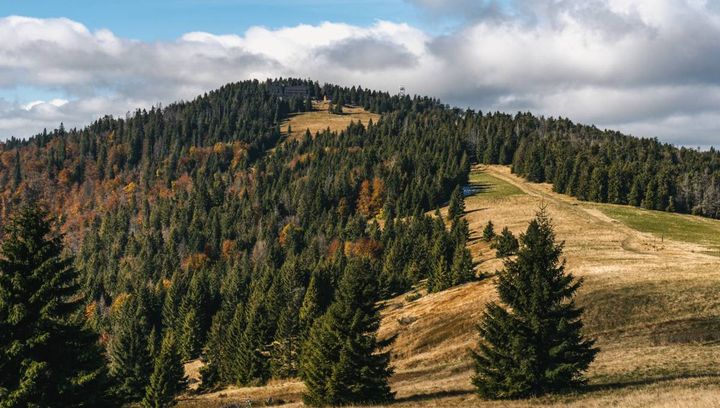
(340, 363)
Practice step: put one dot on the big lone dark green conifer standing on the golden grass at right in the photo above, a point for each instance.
(531, 344)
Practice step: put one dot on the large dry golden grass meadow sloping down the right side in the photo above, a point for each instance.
(652, 305)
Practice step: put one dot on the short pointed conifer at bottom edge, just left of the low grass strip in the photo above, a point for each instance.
(168, 377)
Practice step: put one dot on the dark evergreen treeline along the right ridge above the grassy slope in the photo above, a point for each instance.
(601, 166)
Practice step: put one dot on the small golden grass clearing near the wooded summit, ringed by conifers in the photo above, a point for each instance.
(321, 119)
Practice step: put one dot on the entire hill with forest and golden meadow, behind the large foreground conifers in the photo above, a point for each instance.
(229, 220)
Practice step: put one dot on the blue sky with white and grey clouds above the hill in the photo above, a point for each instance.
(650, 68)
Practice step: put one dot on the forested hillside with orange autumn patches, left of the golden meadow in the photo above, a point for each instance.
(194, 220)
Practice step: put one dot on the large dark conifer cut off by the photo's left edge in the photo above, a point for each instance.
(47, 357)
